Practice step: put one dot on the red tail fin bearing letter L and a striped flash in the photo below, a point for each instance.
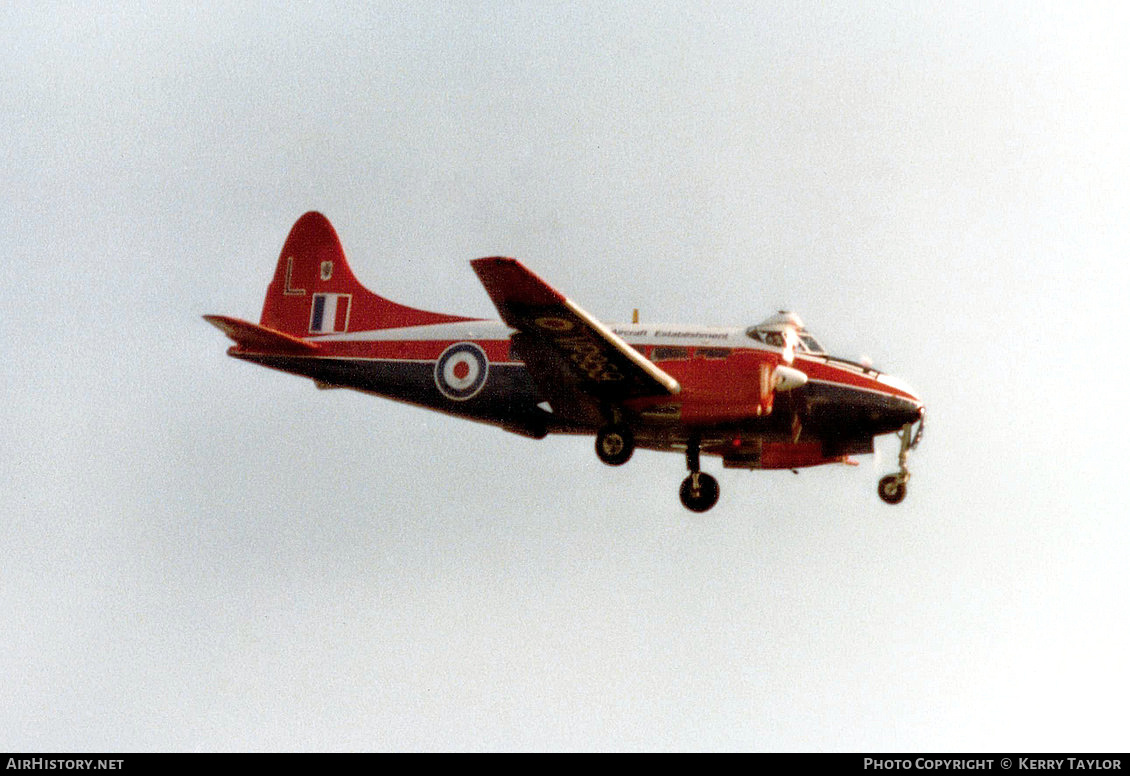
(316, 293)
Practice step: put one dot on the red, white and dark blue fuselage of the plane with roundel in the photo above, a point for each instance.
(841, 407)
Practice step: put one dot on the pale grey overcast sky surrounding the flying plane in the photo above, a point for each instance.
(205, 555)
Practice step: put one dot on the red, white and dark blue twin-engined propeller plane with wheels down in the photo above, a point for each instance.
(760, 397)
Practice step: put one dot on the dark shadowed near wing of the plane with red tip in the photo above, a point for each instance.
(560, 342)
